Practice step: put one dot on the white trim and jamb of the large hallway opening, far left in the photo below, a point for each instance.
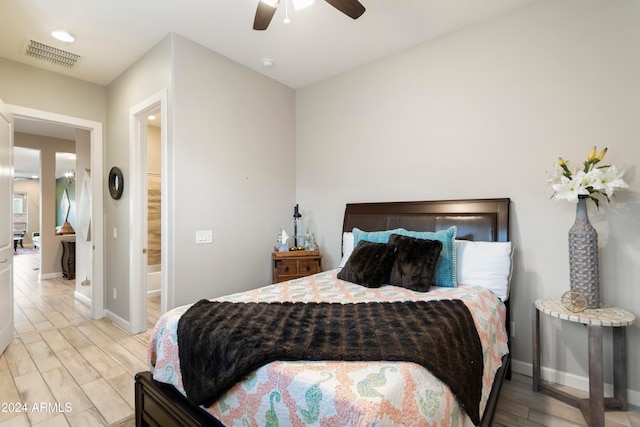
(93, 133)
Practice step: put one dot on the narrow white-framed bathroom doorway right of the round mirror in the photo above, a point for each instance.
(149, 208)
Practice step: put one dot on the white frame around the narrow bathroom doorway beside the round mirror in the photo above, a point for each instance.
(138, 268)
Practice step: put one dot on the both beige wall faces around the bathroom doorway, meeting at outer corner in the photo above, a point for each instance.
(230, 170)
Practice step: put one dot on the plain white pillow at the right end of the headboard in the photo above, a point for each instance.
(487, 264)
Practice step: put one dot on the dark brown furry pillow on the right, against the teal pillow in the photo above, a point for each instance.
(415, 262)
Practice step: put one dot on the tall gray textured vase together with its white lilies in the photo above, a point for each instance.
(578, 185)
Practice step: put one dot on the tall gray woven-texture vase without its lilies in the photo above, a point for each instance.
(583, 257)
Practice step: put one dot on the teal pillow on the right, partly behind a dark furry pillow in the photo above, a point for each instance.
(446, 265)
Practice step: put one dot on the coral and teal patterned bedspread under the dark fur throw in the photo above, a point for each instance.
(341, 393)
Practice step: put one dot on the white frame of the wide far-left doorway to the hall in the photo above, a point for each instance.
(97, 185)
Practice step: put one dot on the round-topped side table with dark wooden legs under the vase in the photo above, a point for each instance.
(595, 319)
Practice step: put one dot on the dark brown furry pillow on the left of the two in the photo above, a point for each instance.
(369, 264)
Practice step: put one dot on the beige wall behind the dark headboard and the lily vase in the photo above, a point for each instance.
(485, 112)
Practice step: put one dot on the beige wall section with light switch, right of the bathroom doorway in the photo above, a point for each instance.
(234, 172)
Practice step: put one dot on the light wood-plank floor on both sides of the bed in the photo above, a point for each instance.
(87, 366)
